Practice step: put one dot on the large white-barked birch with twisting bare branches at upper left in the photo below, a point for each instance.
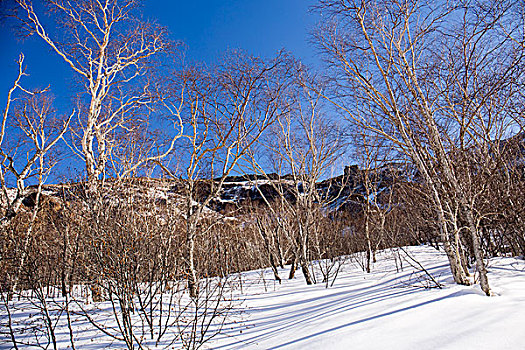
(110, 50)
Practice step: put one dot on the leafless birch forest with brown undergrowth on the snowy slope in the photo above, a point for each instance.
(193, 174)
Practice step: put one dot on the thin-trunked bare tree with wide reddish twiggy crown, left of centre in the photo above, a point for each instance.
(225, 111)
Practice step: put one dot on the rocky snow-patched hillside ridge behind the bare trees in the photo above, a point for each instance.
(341, 192)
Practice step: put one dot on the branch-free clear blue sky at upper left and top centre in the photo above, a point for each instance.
(208, 27)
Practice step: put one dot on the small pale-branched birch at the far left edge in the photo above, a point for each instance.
(27, 137)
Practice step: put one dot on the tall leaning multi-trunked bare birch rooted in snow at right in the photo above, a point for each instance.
(387, 62)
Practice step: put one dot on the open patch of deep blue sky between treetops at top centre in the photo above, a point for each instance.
(261, 27)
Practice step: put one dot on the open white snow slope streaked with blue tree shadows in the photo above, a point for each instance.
(386, 309)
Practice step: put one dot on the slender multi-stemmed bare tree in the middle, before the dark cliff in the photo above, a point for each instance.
(303, 146)
